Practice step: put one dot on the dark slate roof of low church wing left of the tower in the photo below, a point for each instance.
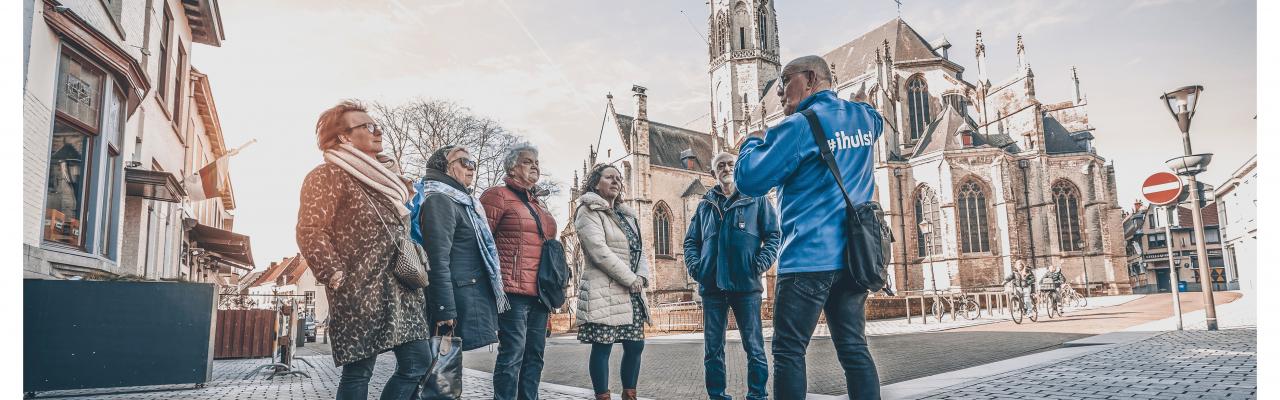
(666, 143)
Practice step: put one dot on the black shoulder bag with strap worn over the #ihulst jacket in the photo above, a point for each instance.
(868, 239)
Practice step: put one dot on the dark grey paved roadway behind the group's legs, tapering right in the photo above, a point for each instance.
(674, 370)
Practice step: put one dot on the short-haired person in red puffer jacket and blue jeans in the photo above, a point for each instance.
(514, 215)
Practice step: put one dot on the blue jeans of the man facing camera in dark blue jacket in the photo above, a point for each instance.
(747, 312)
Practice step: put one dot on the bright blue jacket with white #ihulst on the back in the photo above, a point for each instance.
(812, 206)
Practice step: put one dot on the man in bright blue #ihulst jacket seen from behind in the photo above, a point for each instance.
(812, 274)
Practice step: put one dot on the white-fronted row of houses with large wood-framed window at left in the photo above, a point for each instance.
(124, 152)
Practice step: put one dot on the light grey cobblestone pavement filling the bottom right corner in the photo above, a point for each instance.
(1182, 365)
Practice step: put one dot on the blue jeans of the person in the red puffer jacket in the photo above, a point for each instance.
(522, 340)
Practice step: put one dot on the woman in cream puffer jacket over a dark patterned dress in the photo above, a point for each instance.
(611, 299)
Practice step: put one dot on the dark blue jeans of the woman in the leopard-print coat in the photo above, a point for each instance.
(413, 360)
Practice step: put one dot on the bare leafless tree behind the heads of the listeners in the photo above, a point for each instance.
(419, 128)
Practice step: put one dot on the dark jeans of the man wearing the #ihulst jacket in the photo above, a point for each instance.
(802, 297)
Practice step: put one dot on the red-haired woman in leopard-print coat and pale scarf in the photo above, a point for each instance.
(350, 207)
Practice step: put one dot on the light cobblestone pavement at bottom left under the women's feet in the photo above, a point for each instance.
(228, 383)
